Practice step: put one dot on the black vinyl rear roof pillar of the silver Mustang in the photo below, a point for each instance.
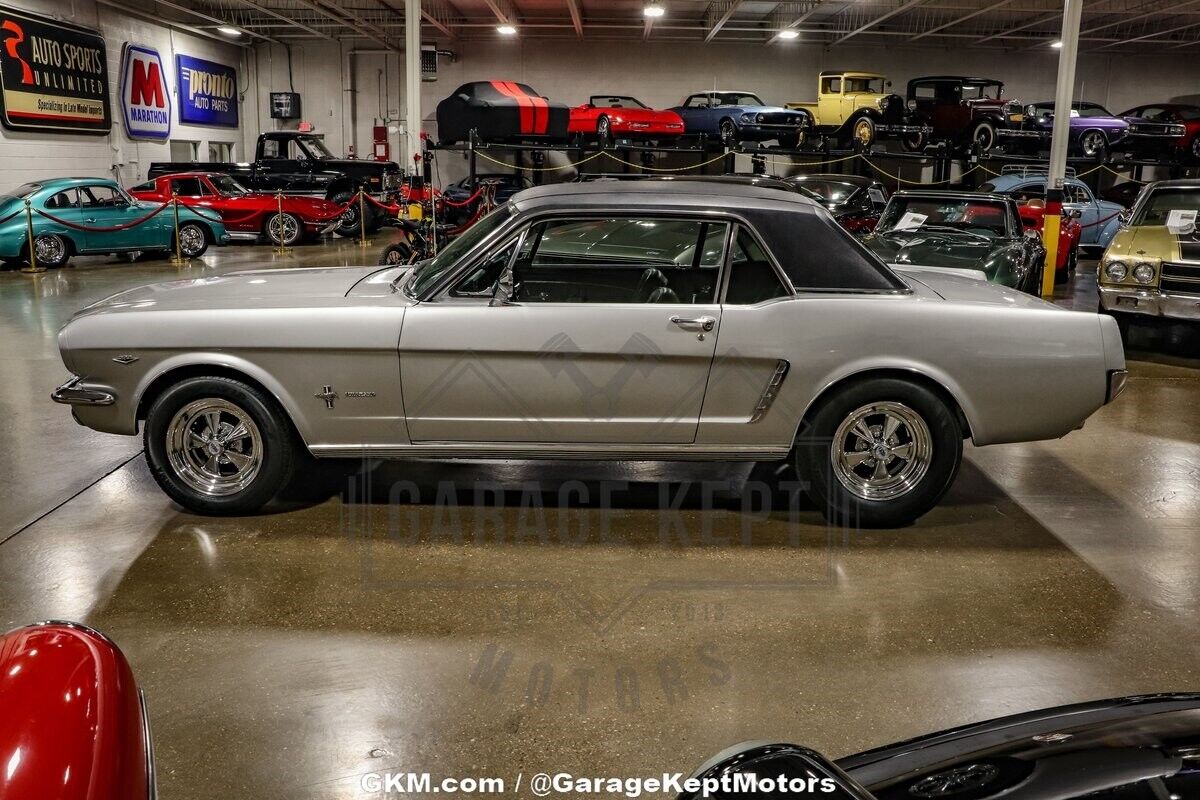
(818, 255)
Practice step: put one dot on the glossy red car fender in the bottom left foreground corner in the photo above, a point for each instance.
(75, 724)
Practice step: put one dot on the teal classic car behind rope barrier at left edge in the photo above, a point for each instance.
(80, 216)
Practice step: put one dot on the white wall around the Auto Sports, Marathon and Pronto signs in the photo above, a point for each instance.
(31, 157)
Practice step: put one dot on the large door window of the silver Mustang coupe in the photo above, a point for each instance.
(621, 261)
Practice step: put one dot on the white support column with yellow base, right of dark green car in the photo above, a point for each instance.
(1060, 139)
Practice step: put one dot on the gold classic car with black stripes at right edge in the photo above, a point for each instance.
(1153, 268)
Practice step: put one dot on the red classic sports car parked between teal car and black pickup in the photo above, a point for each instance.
(247, 215)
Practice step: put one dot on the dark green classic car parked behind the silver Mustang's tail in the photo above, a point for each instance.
(961, 231)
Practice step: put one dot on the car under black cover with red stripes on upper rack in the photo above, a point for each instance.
(501, 111)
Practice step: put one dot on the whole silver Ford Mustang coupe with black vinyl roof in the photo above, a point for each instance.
(653, 322)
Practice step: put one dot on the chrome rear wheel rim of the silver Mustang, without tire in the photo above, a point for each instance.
(881, 452)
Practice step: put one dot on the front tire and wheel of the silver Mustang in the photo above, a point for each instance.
(219, 447)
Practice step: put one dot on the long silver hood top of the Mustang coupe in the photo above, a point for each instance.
(259, 290)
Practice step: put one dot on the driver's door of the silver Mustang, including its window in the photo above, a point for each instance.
(609, 338)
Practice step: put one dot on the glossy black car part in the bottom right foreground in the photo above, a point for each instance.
(1142, 748)
